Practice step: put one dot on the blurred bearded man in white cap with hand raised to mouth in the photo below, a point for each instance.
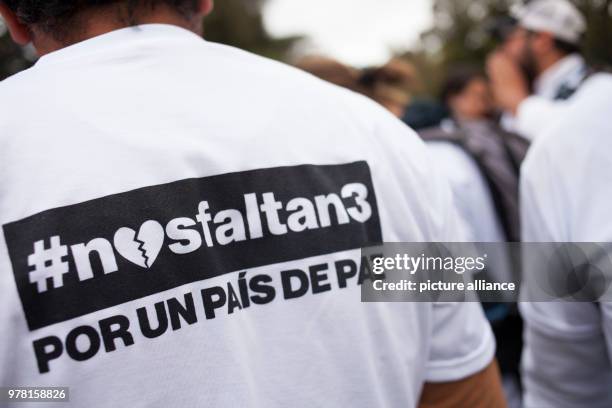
(545, 47)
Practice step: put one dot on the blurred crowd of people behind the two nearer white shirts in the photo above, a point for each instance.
(482, 124)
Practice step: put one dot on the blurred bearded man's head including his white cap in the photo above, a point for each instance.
(546, 32)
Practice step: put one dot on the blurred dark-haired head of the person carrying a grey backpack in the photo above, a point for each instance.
(467, 95)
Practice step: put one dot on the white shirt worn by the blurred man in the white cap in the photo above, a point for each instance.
(541, 108)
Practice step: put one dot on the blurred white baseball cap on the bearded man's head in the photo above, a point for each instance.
(558, 17)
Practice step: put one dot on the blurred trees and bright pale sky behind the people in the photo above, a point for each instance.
(431, 34)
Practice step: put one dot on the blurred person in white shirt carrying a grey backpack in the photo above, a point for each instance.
(482, 163)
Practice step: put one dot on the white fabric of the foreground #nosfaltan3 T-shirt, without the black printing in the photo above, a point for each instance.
(156, 104)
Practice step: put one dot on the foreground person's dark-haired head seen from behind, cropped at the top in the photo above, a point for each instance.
(54, 24)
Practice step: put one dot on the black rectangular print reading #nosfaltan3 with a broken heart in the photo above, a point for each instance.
(102, 219)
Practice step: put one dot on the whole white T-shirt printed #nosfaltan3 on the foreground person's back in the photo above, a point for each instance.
(182, 223)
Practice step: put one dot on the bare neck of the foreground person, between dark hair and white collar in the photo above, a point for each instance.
(96, 24)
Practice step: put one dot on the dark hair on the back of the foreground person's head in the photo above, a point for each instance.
(57, 17)
